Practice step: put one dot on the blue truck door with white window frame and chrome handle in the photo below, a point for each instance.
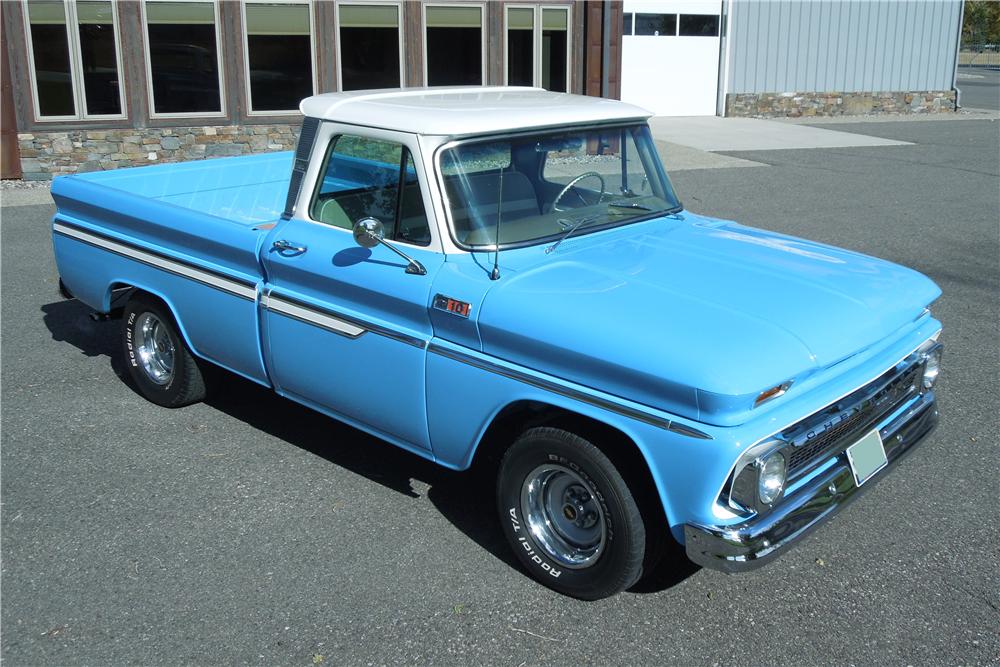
(346, 327)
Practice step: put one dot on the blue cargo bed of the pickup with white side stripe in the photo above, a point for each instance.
(189, 233)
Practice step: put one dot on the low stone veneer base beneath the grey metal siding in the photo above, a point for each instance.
(793, 105)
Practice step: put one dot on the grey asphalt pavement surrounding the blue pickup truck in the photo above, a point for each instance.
(250, 530)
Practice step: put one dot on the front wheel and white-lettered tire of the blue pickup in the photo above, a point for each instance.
(569, 515)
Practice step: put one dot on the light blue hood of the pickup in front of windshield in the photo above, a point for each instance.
(693, 315)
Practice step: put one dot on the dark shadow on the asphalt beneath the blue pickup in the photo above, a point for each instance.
(464, 498)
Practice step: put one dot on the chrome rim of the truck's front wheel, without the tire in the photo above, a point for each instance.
(564, 517)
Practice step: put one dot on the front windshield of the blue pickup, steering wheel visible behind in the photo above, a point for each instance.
(542, 186)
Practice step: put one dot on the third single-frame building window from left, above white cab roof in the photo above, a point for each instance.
(369, 47)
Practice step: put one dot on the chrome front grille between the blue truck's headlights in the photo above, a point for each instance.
(857, 413)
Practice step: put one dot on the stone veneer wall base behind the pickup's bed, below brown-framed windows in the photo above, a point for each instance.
(48, 154)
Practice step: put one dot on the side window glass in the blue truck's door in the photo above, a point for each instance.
(363, 178)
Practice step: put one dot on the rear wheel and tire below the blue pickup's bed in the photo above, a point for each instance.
(158, 361)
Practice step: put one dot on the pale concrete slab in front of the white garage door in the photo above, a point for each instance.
(711, 133)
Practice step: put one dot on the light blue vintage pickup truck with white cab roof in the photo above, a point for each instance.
(505, 277)
